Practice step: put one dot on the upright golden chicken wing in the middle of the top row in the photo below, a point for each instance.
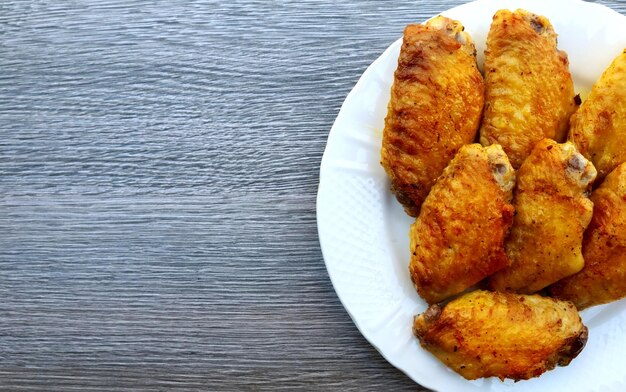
(529, 93)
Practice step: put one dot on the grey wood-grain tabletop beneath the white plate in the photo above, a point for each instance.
(158, 172)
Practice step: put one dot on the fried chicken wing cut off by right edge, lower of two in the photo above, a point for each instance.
(604, 248)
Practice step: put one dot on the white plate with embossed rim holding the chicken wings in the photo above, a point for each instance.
(364, 232)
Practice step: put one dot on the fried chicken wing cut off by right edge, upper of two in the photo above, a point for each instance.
(599, 128)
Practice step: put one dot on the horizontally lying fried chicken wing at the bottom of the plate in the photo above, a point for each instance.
(505, 335)
